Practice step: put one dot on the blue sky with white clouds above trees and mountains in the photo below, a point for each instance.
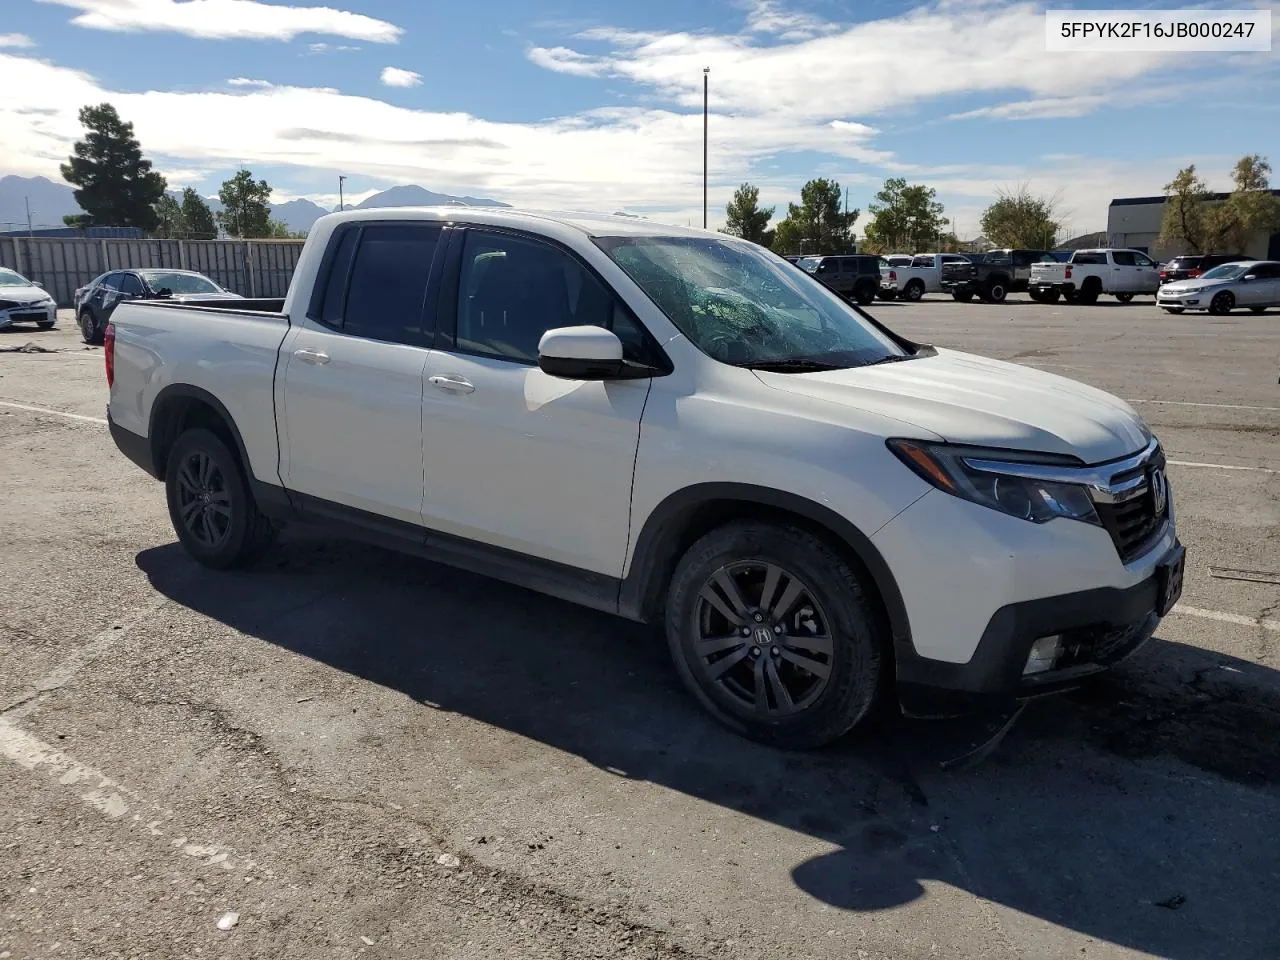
(598, 104)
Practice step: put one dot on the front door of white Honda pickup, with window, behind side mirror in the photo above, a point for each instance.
(514, 458)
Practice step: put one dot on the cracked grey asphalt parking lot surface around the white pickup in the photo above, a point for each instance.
(364, 755)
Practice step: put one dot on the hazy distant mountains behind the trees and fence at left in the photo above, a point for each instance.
(51, 202)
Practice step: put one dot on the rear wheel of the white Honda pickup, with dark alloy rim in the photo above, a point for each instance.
(211, 505)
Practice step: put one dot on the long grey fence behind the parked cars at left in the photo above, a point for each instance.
(250, 268)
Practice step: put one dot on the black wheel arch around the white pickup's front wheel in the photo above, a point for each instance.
(687, 515)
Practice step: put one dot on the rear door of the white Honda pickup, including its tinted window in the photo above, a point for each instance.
(350, 410)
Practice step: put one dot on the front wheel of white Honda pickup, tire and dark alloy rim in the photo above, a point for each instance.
(810, 665)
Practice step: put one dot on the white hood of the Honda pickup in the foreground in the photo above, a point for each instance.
(964, 399)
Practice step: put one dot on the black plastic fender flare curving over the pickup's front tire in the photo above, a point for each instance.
(659, 543)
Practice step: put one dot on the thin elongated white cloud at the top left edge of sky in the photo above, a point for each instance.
(223, 20)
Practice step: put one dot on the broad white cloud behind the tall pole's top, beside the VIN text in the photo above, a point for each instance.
(874, 67)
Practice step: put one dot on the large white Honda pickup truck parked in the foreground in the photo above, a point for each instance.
(675, 427)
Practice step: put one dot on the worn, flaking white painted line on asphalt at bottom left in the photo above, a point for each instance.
(115, 801)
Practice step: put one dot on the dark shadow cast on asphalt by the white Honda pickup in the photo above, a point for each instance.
(1141, 812)
